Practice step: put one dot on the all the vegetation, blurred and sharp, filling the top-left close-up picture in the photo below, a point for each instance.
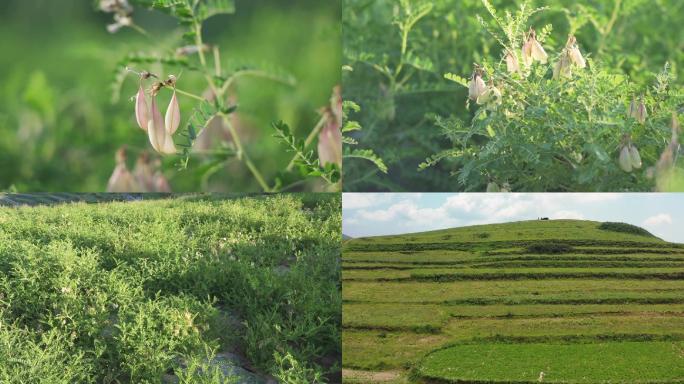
(242, 99)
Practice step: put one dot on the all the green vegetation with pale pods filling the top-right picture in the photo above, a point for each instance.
(525, 95)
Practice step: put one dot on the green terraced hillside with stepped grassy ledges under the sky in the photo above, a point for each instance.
(536, 301)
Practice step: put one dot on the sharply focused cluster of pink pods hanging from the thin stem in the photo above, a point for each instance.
(159, 130)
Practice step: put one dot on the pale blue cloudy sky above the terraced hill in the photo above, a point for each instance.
(370, 214)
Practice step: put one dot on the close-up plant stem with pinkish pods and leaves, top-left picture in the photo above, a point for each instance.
(192, 71)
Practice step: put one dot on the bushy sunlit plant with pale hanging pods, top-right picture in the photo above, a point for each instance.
(549, 118)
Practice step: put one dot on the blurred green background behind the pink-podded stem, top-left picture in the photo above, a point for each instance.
(59, 129)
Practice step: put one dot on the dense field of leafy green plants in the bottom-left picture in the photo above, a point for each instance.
(183, 289)
